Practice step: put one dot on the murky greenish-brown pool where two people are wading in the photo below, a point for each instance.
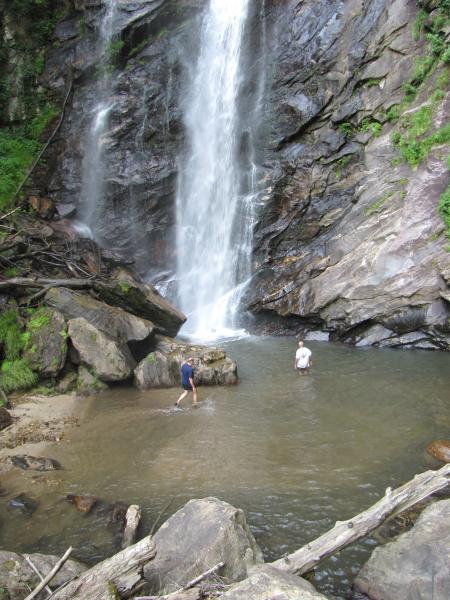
(295, 452)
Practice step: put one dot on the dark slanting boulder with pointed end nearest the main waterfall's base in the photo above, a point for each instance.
(143, 301)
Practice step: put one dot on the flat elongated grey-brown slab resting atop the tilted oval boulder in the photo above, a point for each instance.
(111, 320)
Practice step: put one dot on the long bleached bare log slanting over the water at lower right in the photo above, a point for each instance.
(346, 532)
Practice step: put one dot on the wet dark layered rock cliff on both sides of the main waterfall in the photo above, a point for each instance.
(348, 238)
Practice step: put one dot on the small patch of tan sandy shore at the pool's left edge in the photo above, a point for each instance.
(37, 422)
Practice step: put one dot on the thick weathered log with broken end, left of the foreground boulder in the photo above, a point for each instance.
(121, 572)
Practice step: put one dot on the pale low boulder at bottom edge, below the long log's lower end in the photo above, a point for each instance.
(267, 583)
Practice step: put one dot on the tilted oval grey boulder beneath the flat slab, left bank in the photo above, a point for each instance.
(110, 360)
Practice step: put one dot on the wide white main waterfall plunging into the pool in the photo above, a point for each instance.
(213, 211)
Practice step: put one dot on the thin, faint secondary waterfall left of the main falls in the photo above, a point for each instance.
(93, 167)
